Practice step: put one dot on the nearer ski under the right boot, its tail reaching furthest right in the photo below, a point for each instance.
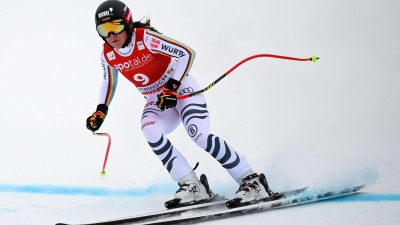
(258, 207)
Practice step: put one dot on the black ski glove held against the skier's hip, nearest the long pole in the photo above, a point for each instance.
(168, 97)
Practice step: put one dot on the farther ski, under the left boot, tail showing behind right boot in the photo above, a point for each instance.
(218, 205)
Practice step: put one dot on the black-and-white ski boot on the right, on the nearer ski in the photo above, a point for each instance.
(254, 189)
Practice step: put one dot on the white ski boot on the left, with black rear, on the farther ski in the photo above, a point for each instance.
(192, 191)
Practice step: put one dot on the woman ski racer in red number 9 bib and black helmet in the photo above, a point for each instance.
(159, 68)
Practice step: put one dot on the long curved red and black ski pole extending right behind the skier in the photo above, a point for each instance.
(313, 59)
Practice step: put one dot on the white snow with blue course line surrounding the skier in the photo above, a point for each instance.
(324, 125)
